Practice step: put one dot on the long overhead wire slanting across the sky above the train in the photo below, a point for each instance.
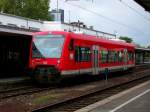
(104, 17)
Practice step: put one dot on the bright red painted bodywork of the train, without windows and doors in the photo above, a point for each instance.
(85, 41)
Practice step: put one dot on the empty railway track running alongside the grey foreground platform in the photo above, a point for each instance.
(80, 102)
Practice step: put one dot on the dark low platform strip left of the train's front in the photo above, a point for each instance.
(13, 80)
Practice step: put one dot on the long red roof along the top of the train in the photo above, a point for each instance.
(88, 38)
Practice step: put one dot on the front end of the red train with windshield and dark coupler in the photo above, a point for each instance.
(46, 55)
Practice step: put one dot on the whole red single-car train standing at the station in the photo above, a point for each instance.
(58, 53)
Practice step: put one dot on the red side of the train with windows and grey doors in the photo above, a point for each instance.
(74, 64)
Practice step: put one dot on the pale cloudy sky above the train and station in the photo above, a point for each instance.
(120, 17)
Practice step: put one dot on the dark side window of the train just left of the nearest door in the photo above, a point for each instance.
(82, 54)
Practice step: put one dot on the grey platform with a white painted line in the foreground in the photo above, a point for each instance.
(135, 99)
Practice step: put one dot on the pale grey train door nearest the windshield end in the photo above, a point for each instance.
(95, 59)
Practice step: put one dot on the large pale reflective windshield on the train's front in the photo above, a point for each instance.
(47, 46)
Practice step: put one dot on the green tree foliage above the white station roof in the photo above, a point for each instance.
(34, 9)
